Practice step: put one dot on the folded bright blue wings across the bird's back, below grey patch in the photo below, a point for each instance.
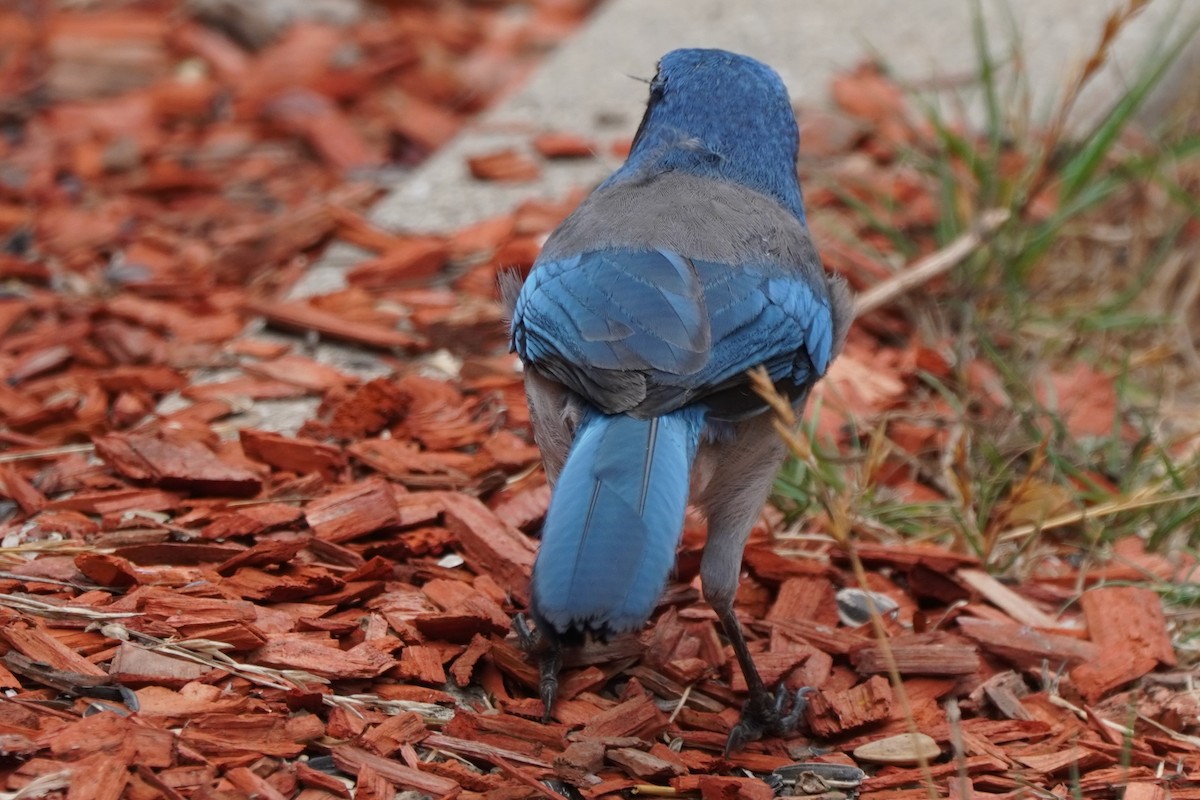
(685, 327)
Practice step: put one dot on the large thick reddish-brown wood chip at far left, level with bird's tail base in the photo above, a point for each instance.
(183, 466)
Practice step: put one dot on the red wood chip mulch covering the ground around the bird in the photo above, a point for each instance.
(194, 615)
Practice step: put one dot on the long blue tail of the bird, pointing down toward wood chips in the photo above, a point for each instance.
(615, 521)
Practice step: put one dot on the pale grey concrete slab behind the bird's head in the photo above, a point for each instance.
(586, 87)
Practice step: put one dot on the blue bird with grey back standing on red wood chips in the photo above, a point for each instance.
(637, 327)
